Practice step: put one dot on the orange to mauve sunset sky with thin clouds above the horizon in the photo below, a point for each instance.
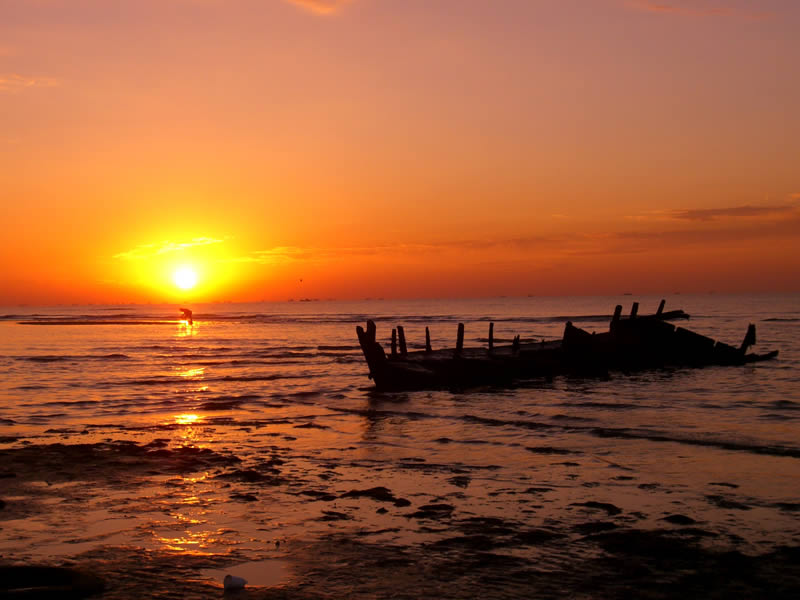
(397, 148)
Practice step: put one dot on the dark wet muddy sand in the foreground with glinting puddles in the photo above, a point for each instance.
(165, 520)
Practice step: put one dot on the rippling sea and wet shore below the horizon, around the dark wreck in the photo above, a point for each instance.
(253, 440)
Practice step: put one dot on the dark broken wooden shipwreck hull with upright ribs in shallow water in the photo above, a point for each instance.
(632, 343)
